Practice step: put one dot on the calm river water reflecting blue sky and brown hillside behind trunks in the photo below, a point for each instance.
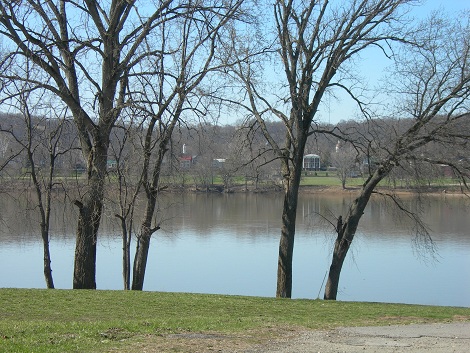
(228, 244)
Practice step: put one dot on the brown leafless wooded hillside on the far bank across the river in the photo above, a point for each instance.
(203, 143)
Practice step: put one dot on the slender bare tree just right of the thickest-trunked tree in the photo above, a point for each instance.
(172, 94)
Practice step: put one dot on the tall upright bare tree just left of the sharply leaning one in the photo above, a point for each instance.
(314, 43)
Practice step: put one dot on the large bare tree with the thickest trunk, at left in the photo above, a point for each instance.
(89, 50)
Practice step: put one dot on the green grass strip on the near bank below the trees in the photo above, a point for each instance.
(97, 321)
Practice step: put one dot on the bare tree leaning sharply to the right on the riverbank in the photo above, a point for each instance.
(432, 86)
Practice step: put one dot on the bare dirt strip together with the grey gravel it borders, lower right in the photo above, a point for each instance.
(390, 338)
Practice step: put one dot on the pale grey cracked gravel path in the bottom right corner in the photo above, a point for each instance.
(425, 338)
